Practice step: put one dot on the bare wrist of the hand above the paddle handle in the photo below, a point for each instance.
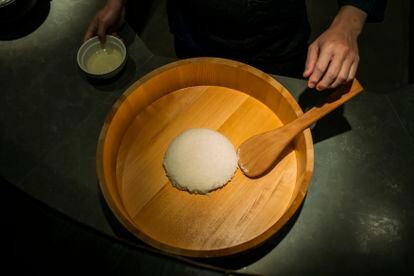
(350, 19)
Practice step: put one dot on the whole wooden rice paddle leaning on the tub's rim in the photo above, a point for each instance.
(258, 154)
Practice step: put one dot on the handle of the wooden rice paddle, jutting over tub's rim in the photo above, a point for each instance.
(336, 99)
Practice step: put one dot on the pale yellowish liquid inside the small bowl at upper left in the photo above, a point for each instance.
(104, 61)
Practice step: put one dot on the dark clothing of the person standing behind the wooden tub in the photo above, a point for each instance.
(269, 34)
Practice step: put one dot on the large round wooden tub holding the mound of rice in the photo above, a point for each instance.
(235, 99)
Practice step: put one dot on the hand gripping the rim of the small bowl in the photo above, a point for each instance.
(109, 18)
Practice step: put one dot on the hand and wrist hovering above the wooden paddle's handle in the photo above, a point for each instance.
(333, 57)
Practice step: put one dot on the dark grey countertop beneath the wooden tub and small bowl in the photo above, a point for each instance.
(358, 215)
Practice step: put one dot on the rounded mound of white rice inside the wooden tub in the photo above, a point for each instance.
(200, 160)
